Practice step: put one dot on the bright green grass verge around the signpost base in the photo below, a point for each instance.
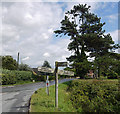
(41, 102)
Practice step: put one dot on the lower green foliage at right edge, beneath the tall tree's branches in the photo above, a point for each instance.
(107, 63)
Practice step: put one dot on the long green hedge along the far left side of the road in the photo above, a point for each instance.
(14, 76)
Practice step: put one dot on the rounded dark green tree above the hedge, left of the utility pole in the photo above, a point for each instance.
(9, 63)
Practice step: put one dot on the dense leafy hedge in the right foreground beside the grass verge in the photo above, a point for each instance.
(95, 95)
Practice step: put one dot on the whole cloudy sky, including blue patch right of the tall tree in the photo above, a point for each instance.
(27, 27)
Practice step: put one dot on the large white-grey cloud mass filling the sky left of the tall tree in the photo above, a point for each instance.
(28, 29)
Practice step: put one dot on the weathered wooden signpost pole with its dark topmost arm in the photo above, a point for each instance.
(57, 64)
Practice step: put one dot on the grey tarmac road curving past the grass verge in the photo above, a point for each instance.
(16, 98)
